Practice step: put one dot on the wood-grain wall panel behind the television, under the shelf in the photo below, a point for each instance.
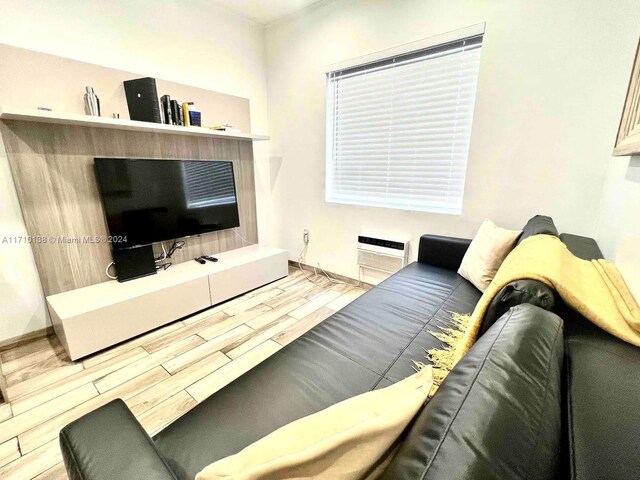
(52, 167)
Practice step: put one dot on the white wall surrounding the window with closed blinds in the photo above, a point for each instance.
(552, 82)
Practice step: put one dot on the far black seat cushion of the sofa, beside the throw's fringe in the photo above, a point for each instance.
(375, 329)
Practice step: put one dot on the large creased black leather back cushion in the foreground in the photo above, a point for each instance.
(498, 413)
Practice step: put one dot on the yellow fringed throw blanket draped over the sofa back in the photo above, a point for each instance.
(594, 288)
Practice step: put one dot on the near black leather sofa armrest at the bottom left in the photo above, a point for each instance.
(109, 443)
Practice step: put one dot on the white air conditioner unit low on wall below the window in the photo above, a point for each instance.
(382, 252)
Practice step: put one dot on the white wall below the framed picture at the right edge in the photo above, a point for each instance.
(618, 230)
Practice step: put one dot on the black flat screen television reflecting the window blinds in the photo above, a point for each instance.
(149, 201)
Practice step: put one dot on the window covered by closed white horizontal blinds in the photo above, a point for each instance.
(398, 129)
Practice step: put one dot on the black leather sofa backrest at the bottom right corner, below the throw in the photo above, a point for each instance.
(602, 384)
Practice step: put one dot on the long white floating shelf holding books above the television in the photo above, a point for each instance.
(42, 116)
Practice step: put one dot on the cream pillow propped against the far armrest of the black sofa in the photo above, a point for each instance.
(487, 251)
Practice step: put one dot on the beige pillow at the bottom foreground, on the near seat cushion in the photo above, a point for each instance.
(347, 441)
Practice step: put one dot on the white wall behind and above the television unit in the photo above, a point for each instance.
(215, 49)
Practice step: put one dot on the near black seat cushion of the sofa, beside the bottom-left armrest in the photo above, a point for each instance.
(302, 378)
